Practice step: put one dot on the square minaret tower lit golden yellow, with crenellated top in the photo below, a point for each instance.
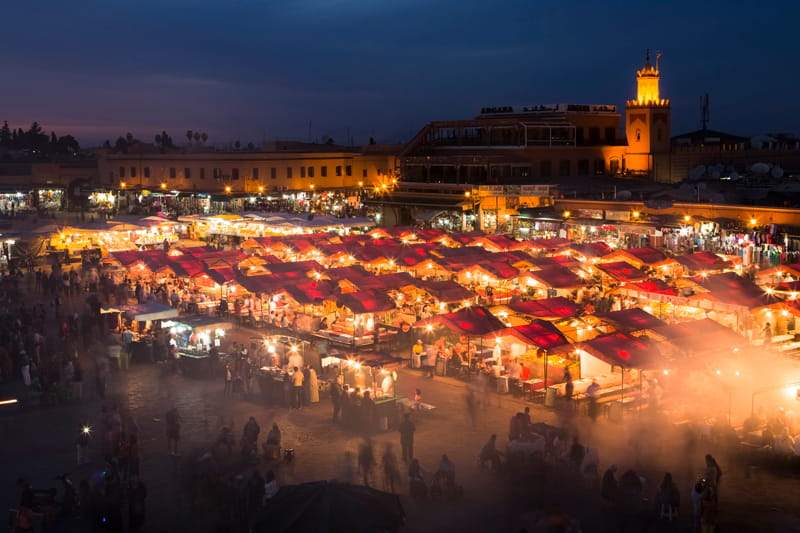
(647, 125)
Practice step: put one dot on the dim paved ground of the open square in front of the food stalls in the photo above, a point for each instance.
(38, 442)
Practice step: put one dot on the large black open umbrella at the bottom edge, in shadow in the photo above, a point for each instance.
(329, 507)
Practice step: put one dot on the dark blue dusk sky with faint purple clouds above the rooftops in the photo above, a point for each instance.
(263, 69)
